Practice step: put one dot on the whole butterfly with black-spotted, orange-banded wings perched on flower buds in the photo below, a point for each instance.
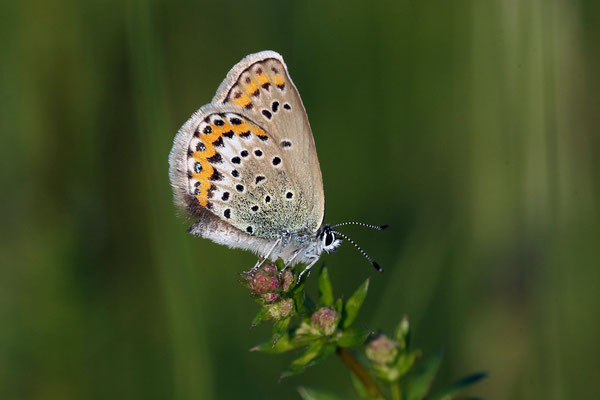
(246, 167)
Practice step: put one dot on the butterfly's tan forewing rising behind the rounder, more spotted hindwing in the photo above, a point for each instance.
(262, 89)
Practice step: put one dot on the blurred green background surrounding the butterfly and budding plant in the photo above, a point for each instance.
(471, 127)
